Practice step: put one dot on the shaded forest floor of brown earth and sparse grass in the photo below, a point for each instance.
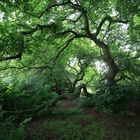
(69, 122)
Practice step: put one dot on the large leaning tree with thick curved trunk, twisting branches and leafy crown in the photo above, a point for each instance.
(50, 27)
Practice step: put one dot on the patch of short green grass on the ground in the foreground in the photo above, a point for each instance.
(77, 127)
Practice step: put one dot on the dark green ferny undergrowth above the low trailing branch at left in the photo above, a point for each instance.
(18, 101)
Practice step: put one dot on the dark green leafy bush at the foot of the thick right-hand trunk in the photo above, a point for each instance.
(113, 99)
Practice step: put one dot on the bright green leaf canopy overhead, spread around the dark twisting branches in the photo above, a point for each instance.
(42, 38)
